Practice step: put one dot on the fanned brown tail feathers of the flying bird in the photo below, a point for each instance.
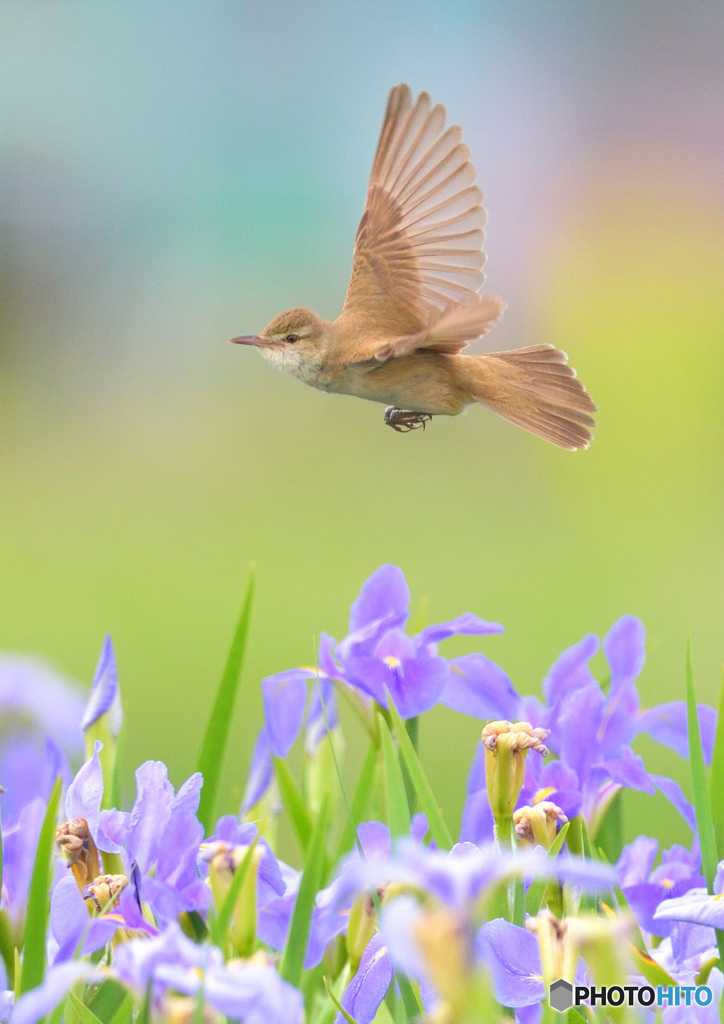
(535, 389)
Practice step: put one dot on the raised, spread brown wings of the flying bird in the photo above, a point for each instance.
(418, 254)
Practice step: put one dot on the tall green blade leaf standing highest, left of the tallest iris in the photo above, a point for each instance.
(217, 739)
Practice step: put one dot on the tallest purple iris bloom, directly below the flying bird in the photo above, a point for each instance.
(378, 657)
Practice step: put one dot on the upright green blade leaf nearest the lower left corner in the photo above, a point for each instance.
(39, 900)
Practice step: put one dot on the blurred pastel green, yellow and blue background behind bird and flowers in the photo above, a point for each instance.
(175, 175)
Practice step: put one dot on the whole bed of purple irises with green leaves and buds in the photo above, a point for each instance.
(166, 914)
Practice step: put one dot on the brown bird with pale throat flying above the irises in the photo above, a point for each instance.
(415, 301)
